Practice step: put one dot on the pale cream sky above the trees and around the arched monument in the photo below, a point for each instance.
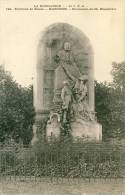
(20, 32)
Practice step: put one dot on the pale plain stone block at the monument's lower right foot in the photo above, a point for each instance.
(88, 130)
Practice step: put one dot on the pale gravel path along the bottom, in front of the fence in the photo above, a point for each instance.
(75, 187)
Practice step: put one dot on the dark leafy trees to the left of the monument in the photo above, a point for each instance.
(16, 109)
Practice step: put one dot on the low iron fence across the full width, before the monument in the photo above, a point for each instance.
(74, 163)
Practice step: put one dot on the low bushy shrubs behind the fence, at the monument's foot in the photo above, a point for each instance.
(65, 159)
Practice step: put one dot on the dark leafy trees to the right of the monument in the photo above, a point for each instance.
(110, 102)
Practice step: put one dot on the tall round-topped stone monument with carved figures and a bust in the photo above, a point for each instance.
(64, 91)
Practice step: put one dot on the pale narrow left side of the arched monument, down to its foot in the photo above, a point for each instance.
(41, 114)
